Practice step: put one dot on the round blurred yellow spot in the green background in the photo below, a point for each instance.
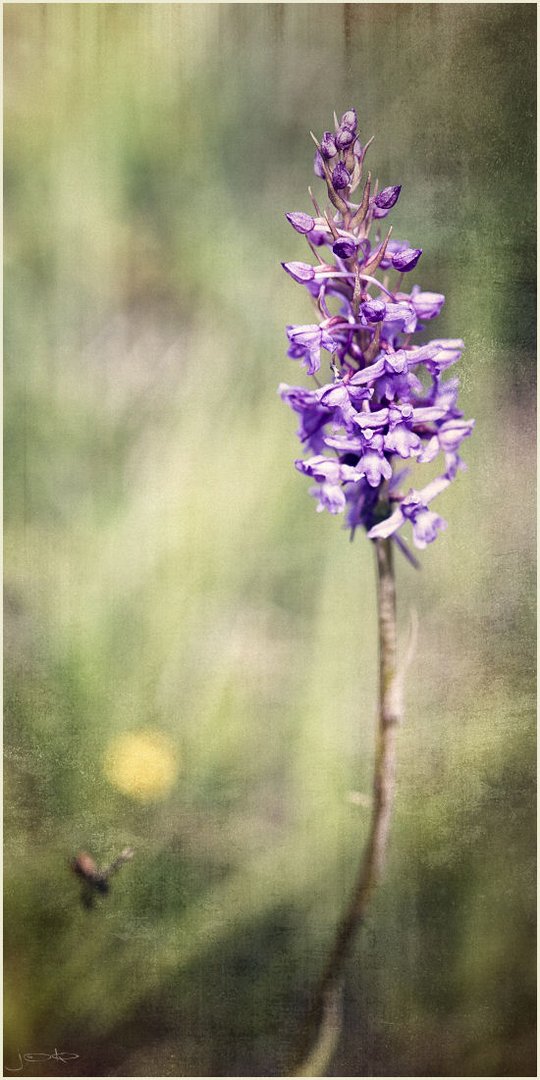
(142, 764)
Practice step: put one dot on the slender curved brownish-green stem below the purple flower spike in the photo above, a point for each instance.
(325, 1010)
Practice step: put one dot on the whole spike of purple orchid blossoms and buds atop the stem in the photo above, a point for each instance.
(377, 412)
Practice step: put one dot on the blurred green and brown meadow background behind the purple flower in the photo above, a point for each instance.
(179, 616)
